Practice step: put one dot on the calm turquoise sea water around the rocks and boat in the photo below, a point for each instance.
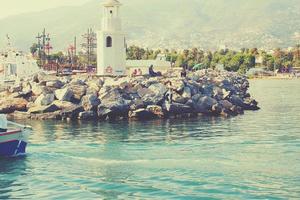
(253, 156)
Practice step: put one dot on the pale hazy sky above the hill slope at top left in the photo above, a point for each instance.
(14, 7)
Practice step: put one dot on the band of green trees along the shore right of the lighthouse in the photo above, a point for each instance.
(231, 60)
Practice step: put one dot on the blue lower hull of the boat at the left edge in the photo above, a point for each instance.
(12, 148)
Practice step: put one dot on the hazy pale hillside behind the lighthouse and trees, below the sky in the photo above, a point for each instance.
(169, 23)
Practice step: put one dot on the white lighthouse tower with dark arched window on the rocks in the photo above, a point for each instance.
(111, 43)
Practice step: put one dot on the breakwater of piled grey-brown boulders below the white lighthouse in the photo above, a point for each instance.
(203, 92)
